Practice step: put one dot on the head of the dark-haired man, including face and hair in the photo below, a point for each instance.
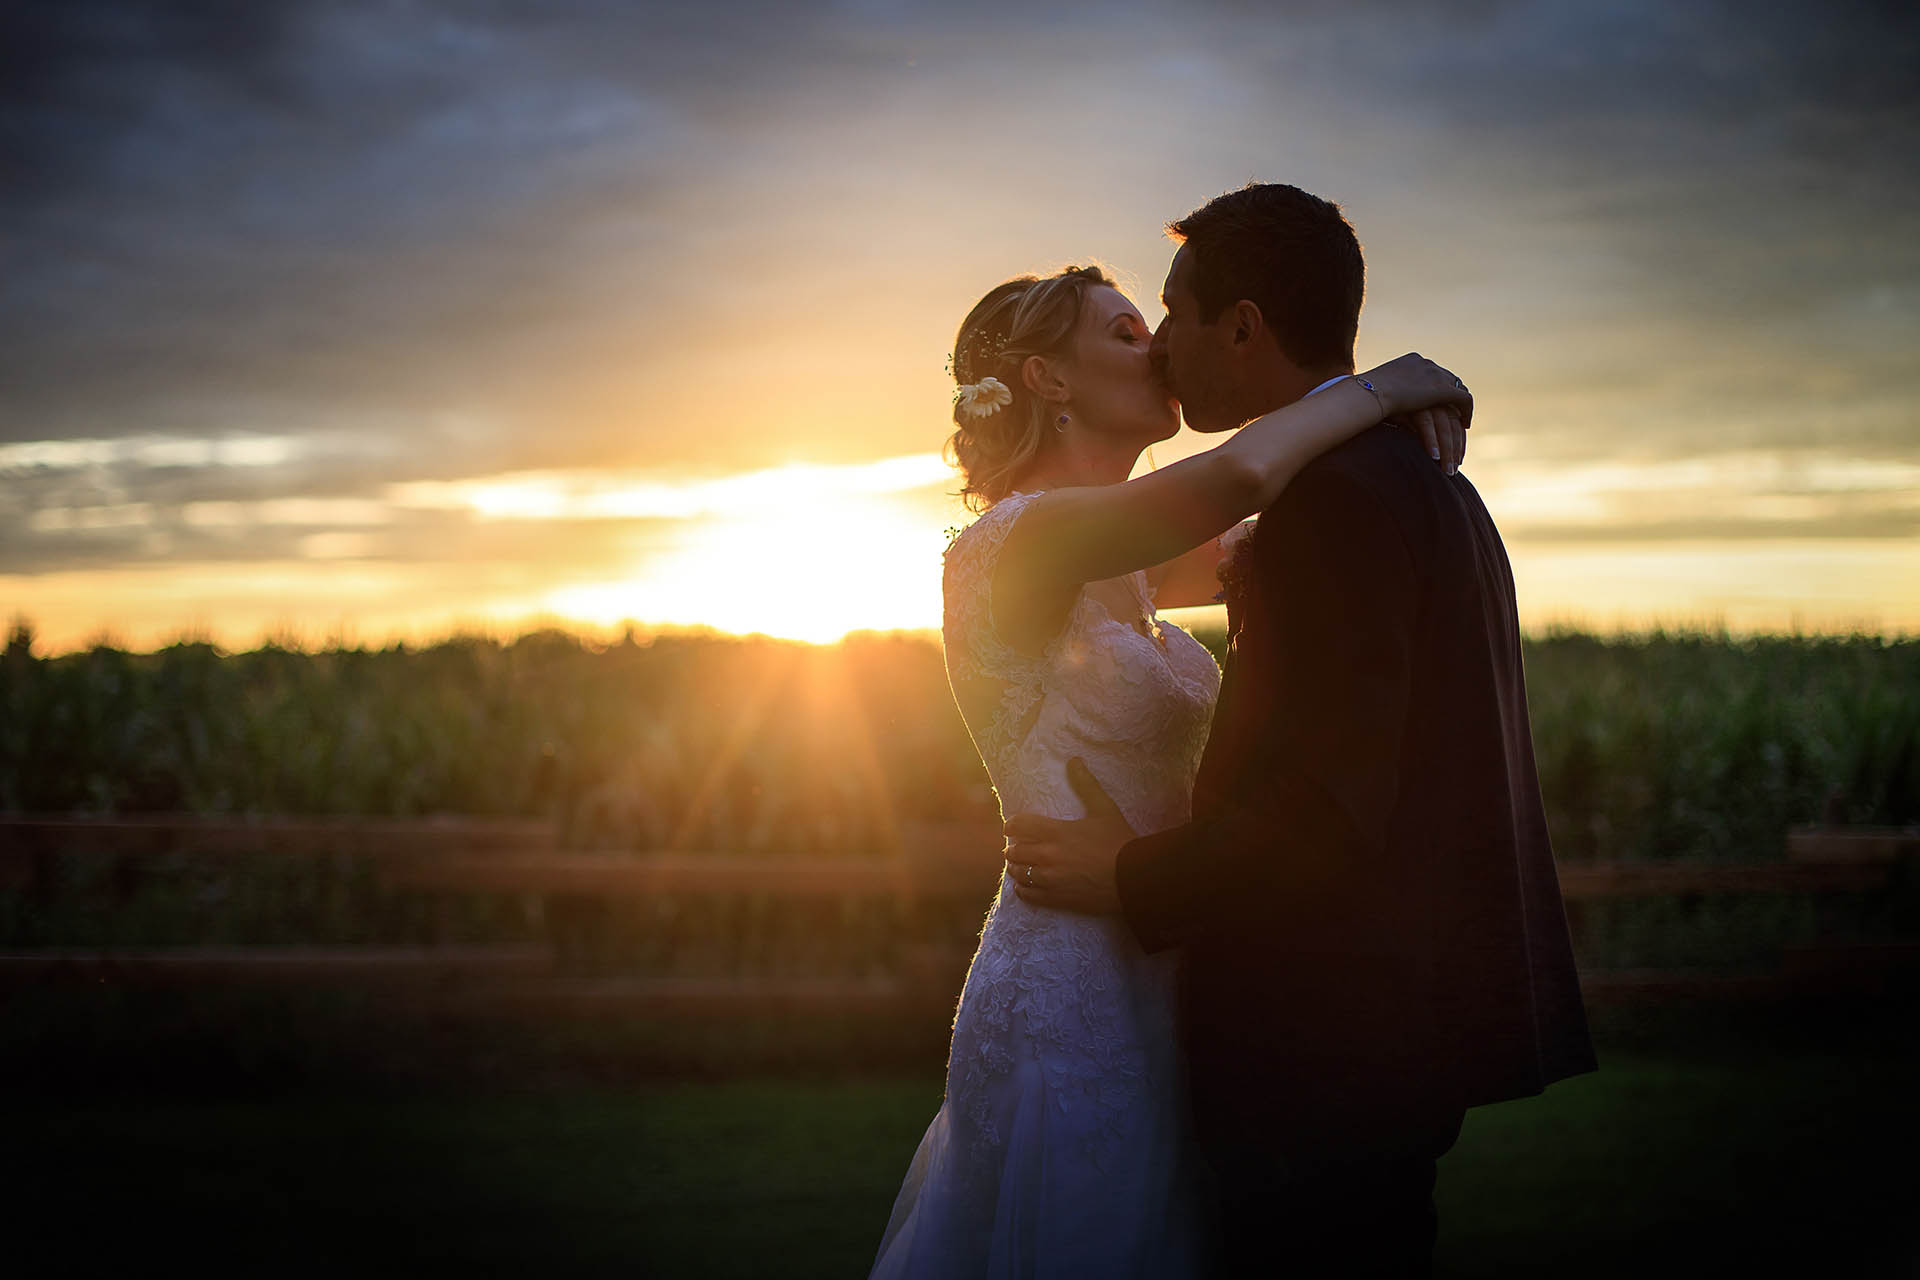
(1262, 304)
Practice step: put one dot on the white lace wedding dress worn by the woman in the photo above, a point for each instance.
(1063, 1149)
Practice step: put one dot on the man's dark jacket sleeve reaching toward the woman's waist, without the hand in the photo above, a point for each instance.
(1310, 809)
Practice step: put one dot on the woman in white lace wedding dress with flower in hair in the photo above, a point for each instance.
(1063, 1147)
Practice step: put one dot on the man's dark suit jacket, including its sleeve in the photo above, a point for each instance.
(1366, 897)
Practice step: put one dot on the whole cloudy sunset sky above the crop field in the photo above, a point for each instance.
(385, 318)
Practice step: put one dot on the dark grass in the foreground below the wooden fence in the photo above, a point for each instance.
(1687, 1156)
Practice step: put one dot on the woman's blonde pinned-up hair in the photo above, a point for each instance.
(1022, 318)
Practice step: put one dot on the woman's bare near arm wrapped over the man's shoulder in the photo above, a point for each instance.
(1086, 534)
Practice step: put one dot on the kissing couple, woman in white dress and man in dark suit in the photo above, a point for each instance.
(1262, 937)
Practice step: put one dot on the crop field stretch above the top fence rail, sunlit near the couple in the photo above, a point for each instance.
(1650, 747)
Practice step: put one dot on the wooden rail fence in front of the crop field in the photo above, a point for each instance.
(919, 907)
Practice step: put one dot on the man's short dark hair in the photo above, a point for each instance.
(1287, 252)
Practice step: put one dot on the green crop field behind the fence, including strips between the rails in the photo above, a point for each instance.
(1658, 747)
